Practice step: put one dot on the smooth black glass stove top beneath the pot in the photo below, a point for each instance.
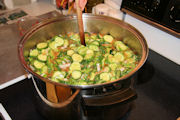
(157, 86)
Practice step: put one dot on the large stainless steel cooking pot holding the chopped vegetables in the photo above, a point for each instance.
(49, 106)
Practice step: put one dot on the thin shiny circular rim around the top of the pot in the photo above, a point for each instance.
(124, 25)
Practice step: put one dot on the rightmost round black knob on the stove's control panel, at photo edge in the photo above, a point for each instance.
(175, 13)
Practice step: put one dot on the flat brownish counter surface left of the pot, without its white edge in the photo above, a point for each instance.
(10, 67)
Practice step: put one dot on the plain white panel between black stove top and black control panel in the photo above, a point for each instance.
(161, 42)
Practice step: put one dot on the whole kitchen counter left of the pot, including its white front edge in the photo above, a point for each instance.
(11, 69)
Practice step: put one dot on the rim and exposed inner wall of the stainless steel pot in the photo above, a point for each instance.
(92, 23)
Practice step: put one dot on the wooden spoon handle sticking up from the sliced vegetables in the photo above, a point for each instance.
(80, 23)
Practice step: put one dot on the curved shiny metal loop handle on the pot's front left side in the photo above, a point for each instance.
(56, 105)
